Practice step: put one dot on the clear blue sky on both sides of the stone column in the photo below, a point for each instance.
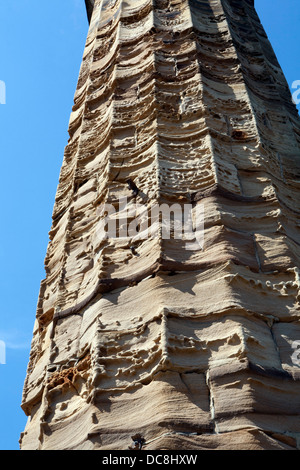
(41, 46)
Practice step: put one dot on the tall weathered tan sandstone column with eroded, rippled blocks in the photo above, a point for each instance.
(191, 349)
